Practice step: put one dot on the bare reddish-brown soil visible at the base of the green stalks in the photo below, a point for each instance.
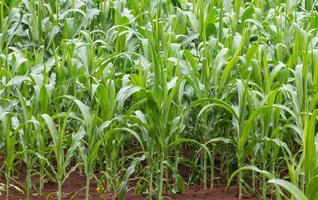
(74, 188)
